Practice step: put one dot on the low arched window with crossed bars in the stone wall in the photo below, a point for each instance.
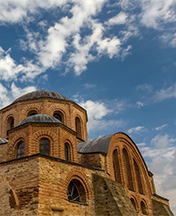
(76, 192)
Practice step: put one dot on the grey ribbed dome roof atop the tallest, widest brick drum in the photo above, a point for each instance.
(41, 94)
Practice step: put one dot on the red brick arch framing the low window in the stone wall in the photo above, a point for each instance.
(80, 176)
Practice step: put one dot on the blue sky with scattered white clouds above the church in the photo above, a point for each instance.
(117, 59)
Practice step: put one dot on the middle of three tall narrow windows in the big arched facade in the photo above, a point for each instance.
(127, 170)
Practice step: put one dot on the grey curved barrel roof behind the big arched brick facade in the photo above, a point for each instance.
(98, 145)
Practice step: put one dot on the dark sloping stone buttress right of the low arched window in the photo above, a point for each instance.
(111, 198)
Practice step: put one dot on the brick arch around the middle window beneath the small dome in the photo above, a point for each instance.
(44, 133)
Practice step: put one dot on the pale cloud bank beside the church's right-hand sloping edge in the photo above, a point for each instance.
(162, 157)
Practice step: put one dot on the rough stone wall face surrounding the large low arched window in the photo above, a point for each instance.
(54, 179)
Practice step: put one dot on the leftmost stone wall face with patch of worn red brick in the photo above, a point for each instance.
(19, 187)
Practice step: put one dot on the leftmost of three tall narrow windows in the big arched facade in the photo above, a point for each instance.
(116, 166)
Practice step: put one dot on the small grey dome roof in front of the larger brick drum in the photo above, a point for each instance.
(40, 118)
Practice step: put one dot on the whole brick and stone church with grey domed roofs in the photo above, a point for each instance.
(49, 167)
